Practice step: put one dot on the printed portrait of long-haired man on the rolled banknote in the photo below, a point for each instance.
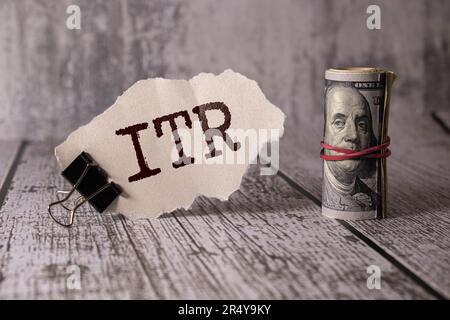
(348, 124)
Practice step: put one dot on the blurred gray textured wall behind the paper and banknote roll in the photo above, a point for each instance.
(53, 79)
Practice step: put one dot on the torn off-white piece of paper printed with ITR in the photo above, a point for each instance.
(159, 183)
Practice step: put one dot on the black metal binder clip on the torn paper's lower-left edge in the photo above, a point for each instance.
(91, 182)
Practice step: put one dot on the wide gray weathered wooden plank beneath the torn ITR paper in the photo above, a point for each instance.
(268, 241)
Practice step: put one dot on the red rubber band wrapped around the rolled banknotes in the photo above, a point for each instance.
(378, 152)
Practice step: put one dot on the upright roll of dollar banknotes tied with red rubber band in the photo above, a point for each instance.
(355, 143)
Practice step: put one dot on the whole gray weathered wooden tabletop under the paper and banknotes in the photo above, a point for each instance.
(269, 241)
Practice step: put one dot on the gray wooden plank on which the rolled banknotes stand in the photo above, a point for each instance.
(416, 232)
